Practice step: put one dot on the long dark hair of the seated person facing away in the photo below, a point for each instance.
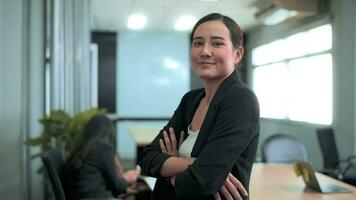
(99, 130)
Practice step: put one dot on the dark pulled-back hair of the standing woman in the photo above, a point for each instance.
(236, 35)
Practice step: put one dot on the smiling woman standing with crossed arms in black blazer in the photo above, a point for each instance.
(222, 120)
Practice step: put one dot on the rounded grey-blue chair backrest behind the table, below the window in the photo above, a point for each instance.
(281, 148)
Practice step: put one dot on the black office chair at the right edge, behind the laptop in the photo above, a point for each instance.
(343, 169)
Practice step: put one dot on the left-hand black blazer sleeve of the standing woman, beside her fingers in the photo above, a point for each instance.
(153, 158)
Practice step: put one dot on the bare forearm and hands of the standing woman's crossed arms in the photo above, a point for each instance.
(232, 188)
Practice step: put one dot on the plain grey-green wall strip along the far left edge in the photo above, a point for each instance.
(11, 54)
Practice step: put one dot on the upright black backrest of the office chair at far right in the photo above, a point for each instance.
(328, 147)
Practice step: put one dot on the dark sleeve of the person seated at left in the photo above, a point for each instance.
(115, 183)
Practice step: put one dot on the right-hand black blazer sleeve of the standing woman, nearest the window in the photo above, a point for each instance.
(236, 123)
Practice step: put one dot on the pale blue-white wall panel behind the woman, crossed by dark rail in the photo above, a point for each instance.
(153, 73)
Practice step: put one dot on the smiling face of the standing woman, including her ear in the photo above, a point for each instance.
(212, 53)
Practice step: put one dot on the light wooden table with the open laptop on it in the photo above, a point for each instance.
(279, 182)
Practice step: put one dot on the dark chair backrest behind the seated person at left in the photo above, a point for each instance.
(53, 163)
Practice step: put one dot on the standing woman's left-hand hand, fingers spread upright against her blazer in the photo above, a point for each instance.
(168, 143)
